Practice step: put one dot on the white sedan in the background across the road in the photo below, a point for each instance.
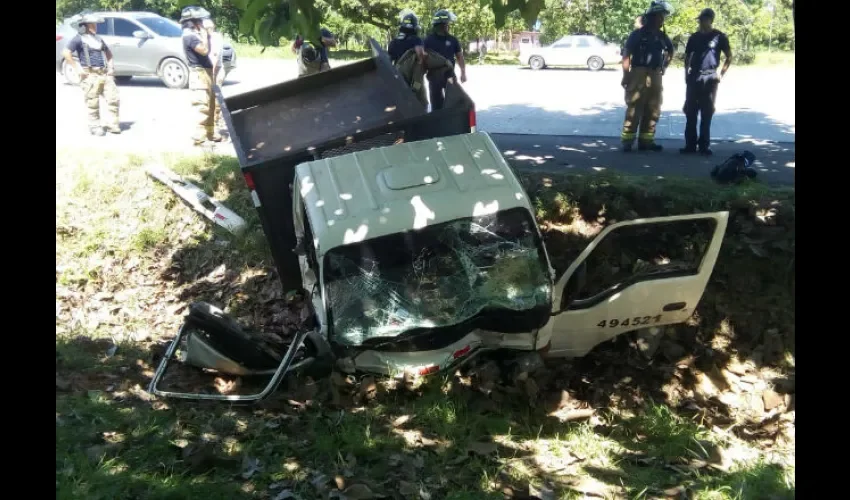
(572, 50)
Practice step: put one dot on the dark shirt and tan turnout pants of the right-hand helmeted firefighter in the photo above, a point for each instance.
(644, 89)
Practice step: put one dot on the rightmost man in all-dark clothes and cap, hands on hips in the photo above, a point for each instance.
(702, 57)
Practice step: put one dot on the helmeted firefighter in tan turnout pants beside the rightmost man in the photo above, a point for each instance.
(647, 53)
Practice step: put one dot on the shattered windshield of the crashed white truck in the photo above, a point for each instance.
(440, 276)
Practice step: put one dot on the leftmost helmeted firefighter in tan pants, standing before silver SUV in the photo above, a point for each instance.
(96, 71)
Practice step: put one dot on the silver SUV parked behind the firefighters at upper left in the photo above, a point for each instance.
(143, 44)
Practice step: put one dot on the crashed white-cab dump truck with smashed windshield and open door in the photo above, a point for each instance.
(412, 239)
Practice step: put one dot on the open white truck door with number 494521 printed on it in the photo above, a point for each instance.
(635, 274)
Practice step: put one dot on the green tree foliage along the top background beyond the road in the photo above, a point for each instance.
(750, 24)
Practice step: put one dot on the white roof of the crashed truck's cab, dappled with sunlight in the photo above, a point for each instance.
(368, 194)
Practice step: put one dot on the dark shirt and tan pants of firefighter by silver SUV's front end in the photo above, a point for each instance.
(201, 85)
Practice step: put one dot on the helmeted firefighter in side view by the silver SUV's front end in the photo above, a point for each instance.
(196, 45)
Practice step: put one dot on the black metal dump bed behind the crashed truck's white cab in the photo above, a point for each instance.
(350, 108)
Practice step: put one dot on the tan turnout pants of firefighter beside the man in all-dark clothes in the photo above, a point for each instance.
(643, 105)
